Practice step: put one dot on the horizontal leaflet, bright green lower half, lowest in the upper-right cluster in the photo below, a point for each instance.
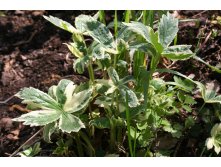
(178, 52)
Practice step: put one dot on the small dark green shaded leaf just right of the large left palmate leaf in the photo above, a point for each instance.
(101, 123)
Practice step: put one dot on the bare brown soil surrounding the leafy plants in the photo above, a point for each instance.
(32, 53)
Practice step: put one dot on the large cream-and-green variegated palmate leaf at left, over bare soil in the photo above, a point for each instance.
(58, 105)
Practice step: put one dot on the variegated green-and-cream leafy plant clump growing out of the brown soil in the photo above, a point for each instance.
(132, 108)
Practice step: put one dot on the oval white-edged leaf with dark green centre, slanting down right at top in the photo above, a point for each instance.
(95, 29)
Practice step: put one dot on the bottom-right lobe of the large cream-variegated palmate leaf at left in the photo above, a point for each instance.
(70, 123)
